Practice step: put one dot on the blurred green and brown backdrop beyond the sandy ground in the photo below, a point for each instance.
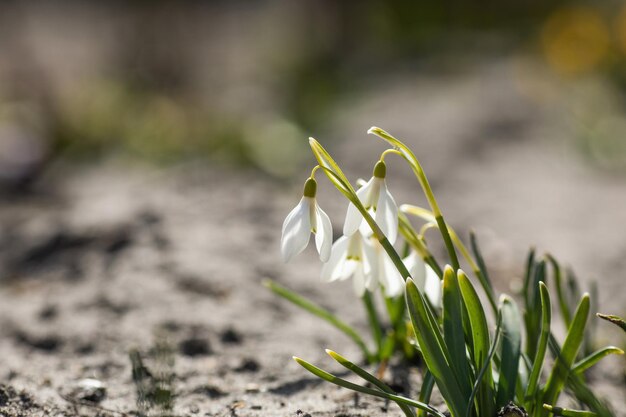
(162, 81)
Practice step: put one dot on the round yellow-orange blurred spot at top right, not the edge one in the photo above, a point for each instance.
(575, 40)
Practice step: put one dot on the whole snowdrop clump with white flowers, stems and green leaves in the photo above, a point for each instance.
(431, 313)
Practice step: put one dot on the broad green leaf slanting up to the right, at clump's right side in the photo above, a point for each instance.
(558, 376)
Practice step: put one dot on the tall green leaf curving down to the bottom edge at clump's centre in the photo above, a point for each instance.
(481, 358)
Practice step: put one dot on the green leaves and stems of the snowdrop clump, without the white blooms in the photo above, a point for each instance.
(478, 370)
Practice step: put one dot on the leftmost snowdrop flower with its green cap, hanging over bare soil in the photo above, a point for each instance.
(305, 218)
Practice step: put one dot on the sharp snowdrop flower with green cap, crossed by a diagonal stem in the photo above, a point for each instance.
(379, 202)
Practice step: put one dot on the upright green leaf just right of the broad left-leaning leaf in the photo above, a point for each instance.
(453, 329)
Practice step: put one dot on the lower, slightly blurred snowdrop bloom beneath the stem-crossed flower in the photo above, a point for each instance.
(351, 257)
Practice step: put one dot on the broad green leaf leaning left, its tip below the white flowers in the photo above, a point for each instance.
(434, 350)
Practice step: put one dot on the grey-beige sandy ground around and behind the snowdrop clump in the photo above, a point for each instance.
(103, 260)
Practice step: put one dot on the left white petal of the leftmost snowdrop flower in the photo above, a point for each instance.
(296, 230)
